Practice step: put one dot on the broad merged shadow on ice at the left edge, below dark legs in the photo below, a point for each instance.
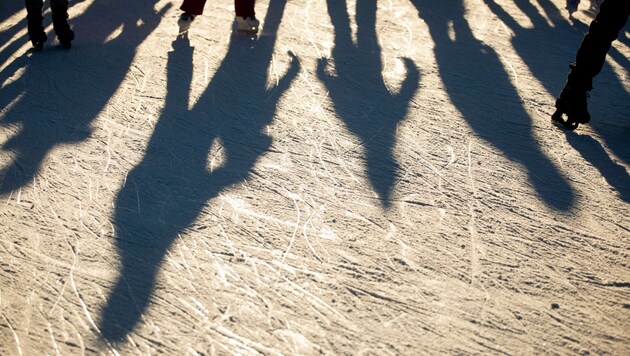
(61, 92)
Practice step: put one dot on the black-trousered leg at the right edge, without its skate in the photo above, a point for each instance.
(602, 32)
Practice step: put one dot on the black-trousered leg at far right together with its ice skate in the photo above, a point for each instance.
(589, 61)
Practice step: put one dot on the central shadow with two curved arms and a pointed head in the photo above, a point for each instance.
(360, 95)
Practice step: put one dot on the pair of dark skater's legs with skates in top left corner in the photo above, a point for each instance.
(34, 18)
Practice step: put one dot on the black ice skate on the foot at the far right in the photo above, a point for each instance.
(572, 104)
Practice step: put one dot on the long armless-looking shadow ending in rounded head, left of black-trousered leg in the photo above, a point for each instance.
(480, 88)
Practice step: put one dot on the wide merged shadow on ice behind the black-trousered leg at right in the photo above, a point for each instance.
(558, 39)
